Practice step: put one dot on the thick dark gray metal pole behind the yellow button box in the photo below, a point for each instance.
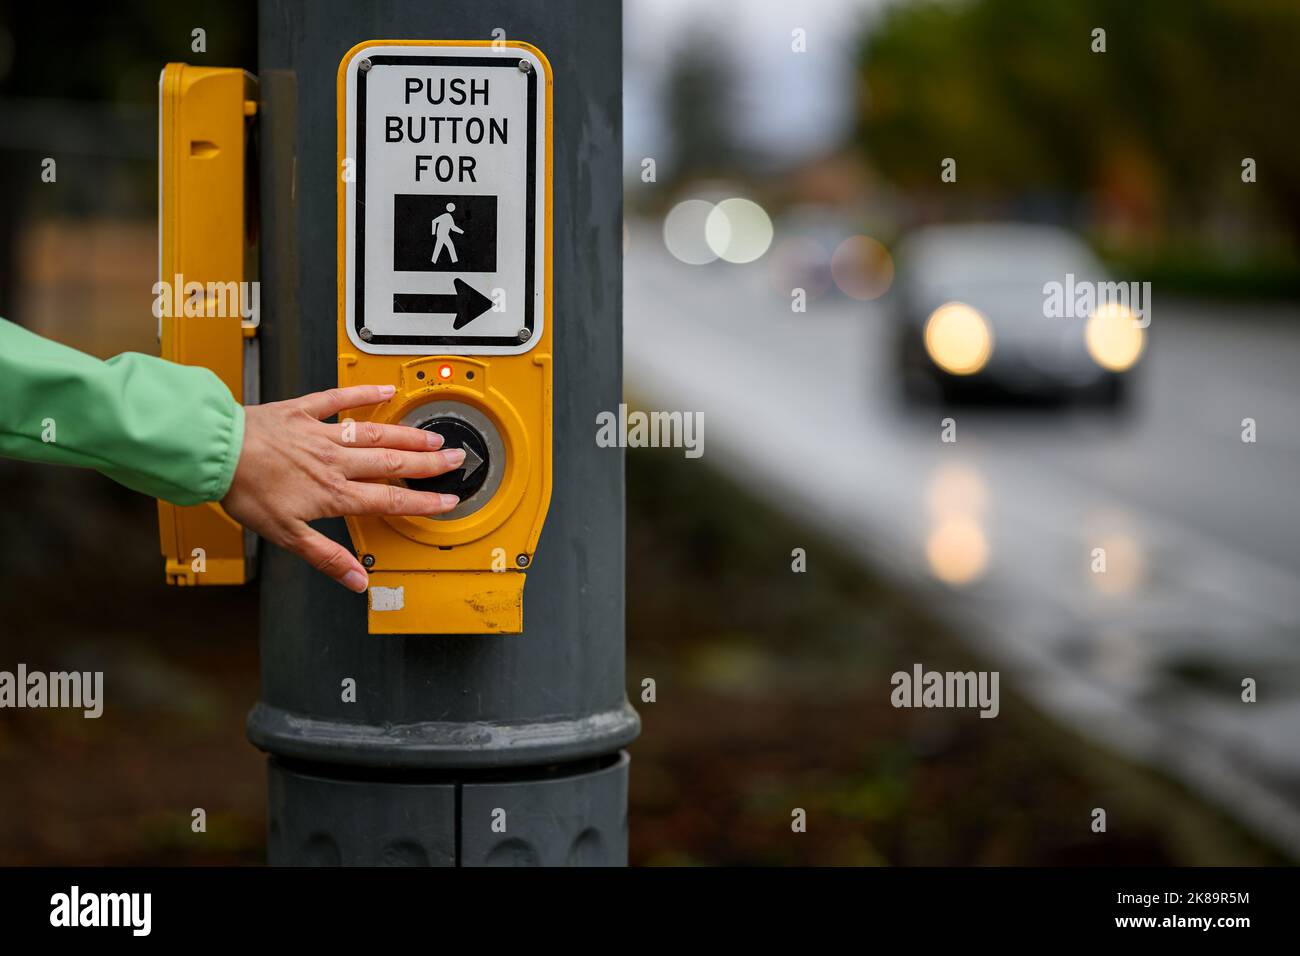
(449, 732)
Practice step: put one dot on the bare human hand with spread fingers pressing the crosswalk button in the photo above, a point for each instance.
(294, 469)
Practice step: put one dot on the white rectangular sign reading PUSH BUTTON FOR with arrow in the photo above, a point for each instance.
(445, 213)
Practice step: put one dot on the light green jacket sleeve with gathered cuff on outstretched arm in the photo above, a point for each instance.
(170, 431)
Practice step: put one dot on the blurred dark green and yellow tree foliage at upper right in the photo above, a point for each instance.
(1158, 124)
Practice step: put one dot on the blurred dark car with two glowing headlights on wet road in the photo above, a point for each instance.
(976, 318)
